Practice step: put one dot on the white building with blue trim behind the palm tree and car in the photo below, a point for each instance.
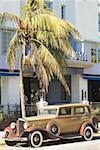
(81, 73)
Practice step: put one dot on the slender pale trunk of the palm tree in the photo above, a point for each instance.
(21, 83)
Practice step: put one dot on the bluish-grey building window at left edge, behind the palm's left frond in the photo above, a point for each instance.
(6, 36)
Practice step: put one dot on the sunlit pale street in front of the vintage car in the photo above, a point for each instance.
(70, 144)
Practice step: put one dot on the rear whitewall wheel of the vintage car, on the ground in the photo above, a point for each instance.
(88, 133)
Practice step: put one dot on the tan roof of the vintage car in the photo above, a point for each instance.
(65, 105)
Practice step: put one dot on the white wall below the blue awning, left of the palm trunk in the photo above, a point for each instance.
(9, 90)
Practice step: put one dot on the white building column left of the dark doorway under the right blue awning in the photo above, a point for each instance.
(79, 89)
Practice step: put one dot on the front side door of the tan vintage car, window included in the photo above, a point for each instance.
(64, 119)
